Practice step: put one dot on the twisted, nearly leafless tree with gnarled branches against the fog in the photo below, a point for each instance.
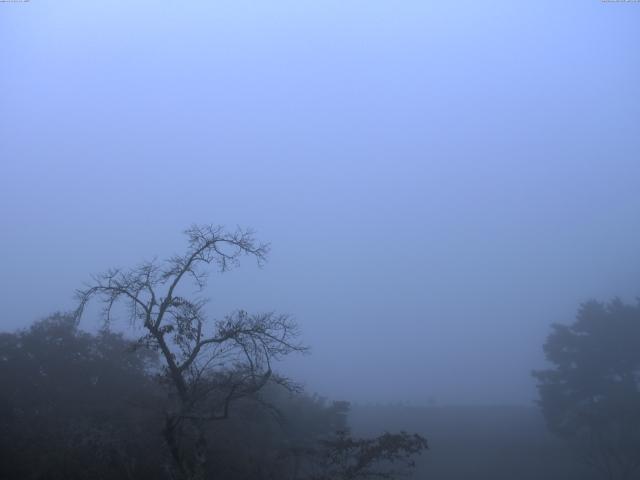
(208, 364)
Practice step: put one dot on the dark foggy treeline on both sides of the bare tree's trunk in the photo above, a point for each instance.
(76, 405)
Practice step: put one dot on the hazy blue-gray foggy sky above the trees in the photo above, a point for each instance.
(439, 180)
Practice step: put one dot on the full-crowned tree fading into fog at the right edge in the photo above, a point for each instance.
(591, 394)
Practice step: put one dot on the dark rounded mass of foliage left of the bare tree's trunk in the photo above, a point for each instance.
(75, 405)
